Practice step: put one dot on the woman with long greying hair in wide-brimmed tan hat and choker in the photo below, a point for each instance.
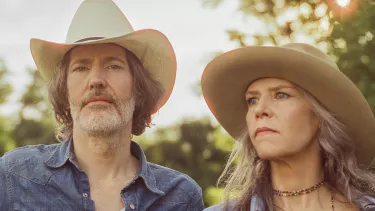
(305, 133)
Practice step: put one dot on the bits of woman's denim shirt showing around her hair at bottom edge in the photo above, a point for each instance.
(365, 203)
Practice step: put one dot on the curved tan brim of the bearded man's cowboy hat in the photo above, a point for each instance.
(151, 46)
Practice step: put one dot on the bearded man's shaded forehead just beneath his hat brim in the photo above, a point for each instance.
(97, 50)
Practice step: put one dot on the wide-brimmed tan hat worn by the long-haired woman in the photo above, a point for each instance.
(226, 79)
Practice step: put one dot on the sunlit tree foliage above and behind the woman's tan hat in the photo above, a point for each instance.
(346, 33)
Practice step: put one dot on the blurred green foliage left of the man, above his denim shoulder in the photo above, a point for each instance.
(34, 123)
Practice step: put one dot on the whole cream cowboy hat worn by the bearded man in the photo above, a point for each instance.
(101, 21)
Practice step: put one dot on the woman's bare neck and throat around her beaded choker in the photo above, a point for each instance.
(299, 172)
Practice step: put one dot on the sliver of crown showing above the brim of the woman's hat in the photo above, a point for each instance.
(312, 51)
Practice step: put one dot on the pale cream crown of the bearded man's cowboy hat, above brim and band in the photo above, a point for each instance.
(97, 19)
